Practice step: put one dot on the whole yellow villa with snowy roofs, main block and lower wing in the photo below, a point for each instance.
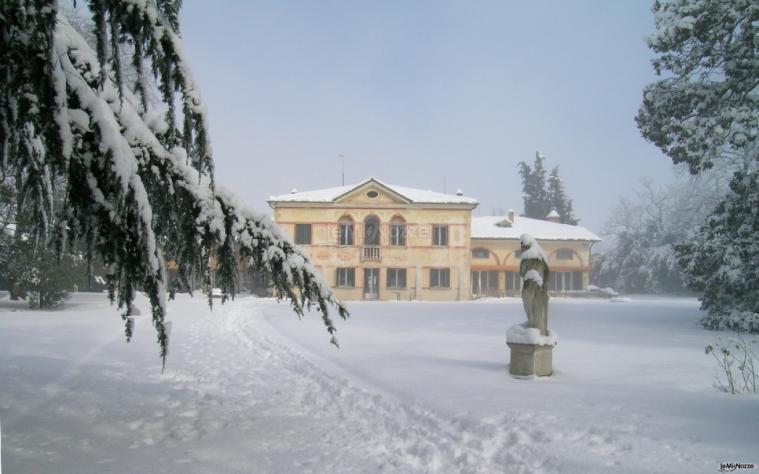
(374, 240)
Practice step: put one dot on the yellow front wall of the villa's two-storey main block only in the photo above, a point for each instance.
(418, 256)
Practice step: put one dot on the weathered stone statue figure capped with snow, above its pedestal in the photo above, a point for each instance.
(535, 273)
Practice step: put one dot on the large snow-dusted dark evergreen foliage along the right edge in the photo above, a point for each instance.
(704, 112)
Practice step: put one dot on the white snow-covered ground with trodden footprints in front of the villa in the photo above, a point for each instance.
(414, 388)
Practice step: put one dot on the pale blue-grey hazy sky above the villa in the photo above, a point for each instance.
(418, 93)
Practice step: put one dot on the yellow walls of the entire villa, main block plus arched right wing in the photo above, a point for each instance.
(419, 255)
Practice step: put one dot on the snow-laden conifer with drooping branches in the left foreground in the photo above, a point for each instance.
(137, 180)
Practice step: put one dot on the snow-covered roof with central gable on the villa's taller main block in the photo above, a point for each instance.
(411, 194)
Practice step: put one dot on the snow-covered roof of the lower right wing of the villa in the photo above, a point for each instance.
(499, 227)
